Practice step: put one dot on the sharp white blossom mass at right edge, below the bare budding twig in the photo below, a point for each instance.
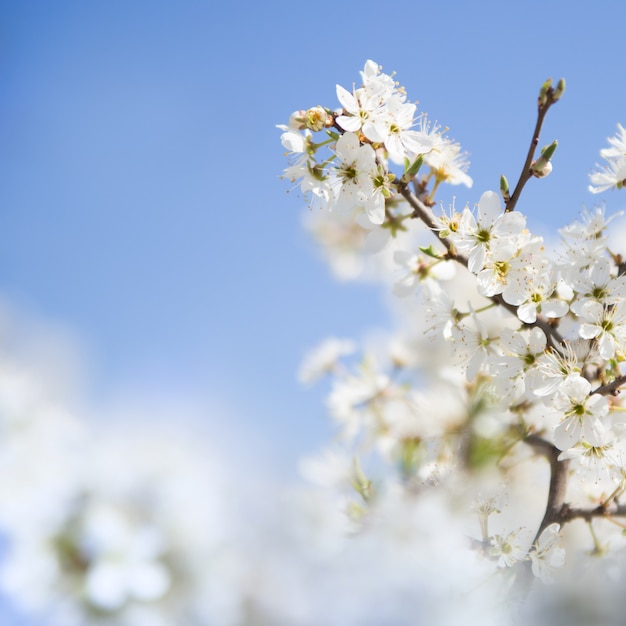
(582, 296)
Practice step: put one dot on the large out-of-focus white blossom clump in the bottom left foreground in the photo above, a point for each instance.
(138, 532)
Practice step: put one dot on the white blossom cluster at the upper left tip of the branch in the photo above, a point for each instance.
(375, 125)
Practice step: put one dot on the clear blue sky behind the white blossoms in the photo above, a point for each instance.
(141, 209)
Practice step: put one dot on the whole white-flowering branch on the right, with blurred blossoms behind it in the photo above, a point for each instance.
(508, 354)
